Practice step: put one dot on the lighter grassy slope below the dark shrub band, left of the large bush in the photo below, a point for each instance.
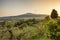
(28, 32)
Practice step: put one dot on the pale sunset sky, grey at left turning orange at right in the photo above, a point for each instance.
(18, 7)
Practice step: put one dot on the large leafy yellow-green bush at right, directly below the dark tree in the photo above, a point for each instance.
(52, 29)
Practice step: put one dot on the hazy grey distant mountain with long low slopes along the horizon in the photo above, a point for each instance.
(24, 16)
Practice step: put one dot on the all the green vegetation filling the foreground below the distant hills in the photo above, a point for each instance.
(32, 29)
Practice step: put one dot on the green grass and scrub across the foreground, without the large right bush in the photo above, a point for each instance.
(27, 30)
